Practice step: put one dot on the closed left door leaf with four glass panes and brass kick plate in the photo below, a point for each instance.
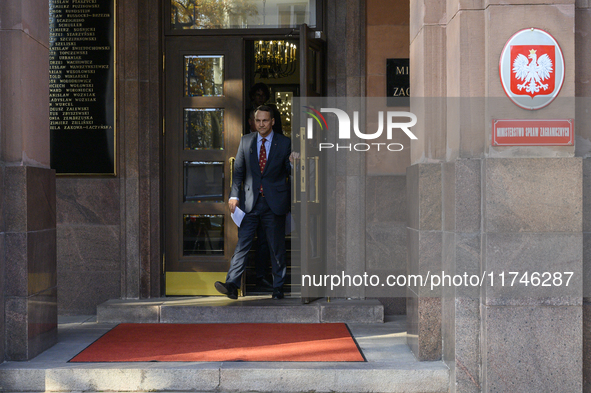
(203, 125)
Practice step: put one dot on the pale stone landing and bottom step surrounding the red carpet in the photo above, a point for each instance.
(390, 368)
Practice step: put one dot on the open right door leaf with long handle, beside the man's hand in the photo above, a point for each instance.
(309, 174)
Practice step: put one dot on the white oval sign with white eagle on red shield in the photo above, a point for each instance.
(531, 68)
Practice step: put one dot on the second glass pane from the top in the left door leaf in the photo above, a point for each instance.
(205, 129)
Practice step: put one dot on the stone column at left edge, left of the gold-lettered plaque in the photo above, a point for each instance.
(27, 185)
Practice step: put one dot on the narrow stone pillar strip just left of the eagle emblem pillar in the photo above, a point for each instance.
(428, 87)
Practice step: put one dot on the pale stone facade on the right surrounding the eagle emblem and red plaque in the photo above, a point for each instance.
(503, 208)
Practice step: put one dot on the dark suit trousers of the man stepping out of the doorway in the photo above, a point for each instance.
(274, 227)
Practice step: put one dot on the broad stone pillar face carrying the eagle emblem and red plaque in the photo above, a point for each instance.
(531, 224)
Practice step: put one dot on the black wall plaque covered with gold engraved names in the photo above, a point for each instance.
(82, 86)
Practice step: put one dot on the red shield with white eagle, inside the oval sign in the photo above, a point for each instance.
(533, 69)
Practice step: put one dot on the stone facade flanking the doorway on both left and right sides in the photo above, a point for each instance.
(452, 202)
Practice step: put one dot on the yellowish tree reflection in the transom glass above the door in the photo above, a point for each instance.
(210, 14)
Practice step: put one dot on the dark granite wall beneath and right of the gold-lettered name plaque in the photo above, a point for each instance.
(109, 228)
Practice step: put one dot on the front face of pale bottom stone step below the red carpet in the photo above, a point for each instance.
(228, 377)
